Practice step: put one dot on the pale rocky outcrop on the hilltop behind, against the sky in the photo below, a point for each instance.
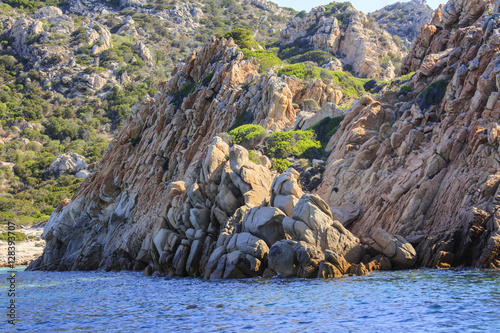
(342, 30)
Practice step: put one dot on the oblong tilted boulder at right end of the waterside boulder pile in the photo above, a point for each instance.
(396, 248)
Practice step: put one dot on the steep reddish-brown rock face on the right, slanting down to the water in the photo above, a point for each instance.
(428, 171)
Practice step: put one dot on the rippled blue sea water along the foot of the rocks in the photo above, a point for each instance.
(413, 301)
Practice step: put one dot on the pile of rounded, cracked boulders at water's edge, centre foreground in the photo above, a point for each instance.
(236, 221)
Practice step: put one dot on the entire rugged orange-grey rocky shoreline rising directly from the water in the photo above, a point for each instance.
(412, 170)
